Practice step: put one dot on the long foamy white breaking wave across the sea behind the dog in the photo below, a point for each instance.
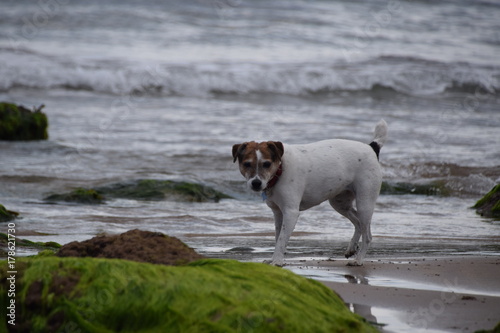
(404, 75)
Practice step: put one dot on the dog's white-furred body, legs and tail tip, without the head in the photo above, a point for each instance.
(336, 170)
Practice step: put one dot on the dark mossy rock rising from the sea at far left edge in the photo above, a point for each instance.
(19, 123)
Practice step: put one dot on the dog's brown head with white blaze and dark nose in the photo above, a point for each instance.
(258, 161)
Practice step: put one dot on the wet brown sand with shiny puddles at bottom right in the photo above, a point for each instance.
(450, 294)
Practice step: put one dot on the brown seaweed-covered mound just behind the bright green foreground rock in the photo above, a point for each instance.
(136, 245)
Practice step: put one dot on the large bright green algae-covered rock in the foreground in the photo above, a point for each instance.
(112, 295)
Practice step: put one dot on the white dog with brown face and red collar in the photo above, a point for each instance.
(293, 178)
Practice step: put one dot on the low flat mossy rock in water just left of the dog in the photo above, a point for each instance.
(152, 189)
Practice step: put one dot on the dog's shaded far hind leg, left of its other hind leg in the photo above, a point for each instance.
(342, 203)
